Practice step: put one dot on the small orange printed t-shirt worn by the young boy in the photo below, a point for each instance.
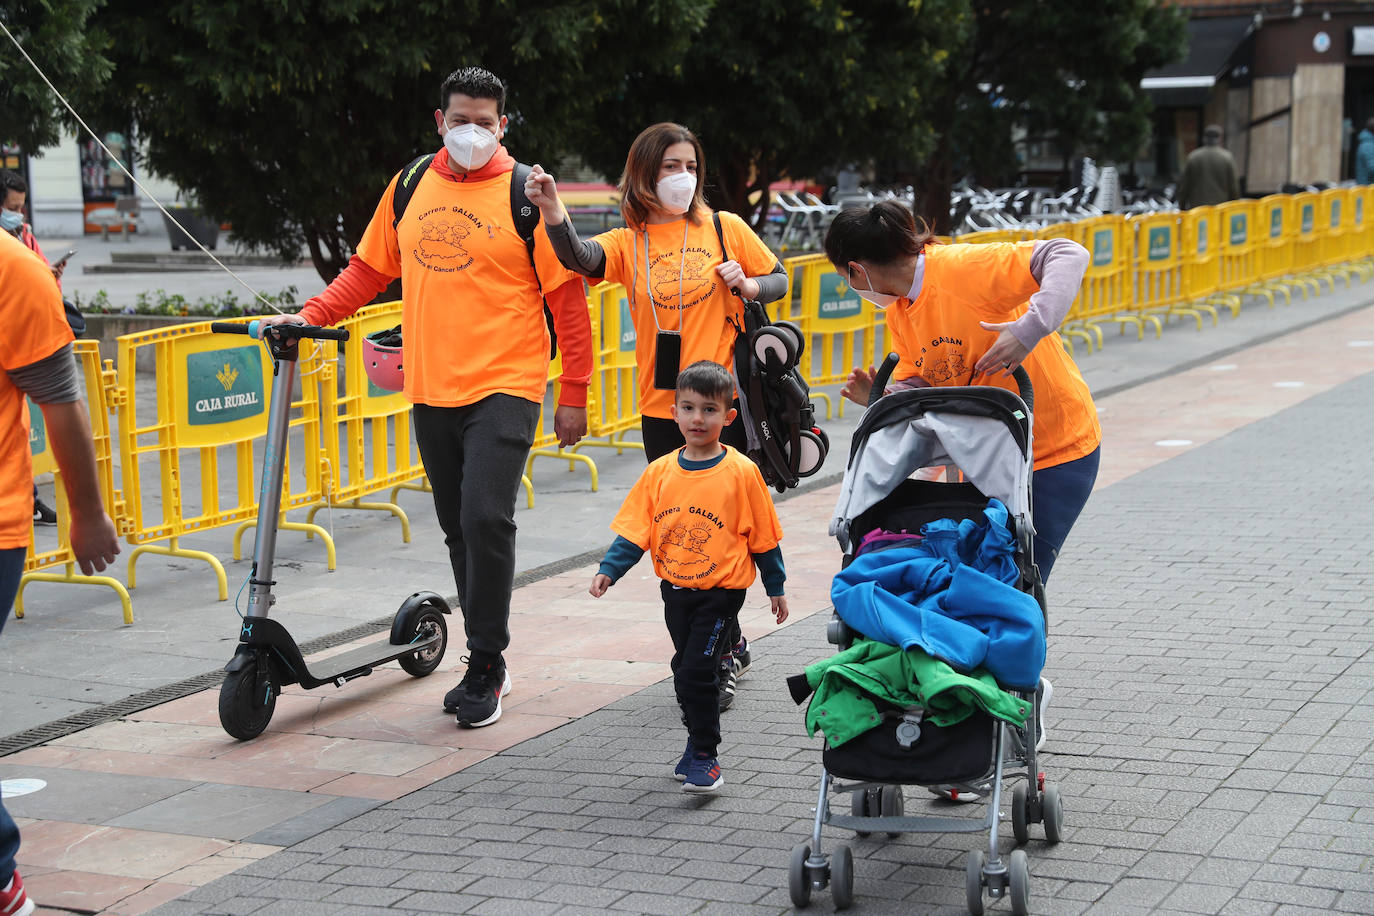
(701, 527)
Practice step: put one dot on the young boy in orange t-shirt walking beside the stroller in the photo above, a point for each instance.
(706, 516)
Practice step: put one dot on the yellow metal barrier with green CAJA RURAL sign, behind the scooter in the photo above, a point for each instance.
(211, 395)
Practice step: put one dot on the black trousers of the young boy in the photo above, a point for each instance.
(700, 623)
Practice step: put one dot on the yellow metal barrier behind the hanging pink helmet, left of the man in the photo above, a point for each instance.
(368, 432)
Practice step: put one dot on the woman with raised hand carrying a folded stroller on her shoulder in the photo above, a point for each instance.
(679, 278)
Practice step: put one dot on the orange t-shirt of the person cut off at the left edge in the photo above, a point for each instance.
(35, 329)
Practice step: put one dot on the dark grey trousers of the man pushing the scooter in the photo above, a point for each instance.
(475, 457)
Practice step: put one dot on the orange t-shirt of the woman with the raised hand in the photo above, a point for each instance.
(706, 300)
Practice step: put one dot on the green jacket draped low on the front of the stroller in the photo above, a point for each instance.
(846, 685)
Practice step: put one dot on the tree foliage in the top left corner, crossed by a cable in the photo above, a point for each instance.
(61, 41)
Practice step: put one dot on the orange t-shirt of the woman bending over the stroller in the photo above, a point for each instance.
(939, 340)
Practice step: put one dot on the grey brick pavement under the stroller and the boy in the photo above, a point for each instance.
(1211, 733)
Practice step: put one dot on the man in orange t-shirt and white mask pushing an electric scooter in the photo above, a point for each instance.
(475, 355)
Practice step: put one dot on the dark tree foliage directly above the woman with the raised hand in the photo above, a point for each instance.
(788, 90)
